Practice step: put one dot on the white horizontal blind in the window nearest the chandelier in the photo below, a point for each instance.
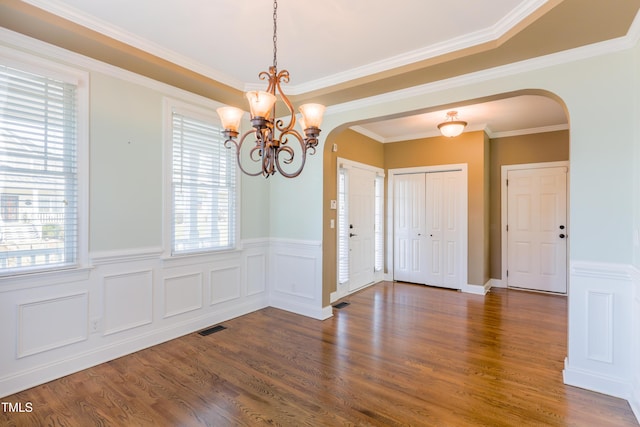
(203, 187)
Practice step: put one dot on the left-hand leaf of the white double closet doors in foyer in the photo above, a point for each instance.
(409, 228)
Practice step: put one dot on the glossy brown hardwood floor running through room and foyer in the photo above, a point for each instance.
(399, 354)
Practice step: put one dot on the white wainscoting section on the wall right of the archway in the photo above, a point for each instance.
(601, 331)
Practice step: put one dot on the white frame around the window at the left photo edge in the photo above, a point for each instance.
(47, 68)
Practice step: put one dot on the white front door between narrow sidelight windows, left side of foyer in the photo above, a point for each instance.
(361, 194)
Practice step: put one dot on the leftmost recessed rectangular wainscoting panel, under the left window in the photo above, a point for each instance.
(52, 323)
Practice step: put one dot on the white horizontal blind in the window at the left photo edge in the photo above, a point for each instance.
(38, 172)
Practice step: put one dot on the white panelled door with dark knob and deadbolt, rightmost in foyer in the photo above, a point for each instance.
(537, 229)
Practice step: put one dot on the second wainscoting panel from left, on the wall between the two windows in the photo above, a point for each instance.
(128, 301)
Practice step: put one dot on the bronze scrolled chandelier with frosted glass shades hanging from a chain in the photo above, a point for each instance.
(276, 143)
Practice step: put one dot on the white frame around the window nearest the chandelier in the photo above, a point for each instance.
(204, 113)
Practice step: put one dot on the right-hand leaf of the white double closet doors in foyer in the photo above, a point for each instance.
(444, 228)
